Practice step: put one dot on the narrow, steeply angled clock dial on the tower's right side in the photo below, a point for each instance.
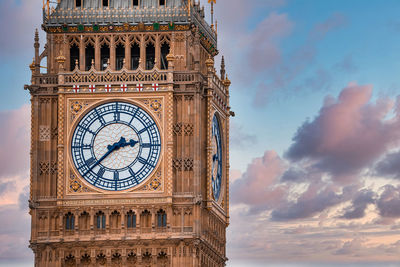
(216, 171)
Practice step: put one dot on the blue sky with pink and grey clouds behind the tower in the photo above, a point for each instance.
(315, 143)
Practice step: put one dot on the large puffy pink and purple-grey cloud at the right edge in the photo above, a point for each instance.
(348, 134)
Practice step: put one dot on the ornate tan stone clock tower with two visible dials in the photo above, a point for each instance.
(130, 136)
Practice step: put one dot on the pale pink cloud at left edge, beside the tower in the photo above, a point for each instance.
(14, 141)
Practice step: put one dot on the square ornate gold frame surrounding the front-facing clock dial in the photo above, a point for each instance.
(90, 104)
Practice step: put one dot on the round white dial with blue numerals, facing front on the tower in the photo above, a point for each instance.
(116, 146)
